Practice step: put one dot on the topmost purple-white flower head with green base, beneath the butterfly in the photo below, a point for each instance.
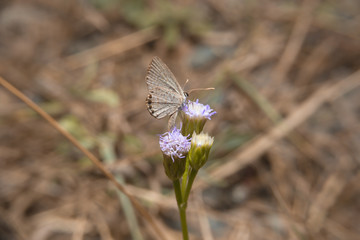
(194, 116)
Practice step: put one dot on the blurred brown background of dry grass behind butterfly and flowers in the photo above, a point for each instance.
(285, 163)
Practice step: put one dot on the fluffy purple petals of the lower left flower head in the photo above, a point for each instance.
(174, 144)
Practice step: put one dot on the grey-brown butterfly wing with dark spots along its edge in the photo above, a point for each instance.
(165, 93)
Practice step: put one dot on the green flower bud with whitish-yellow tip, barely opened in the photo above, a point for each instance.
(199, 150)
